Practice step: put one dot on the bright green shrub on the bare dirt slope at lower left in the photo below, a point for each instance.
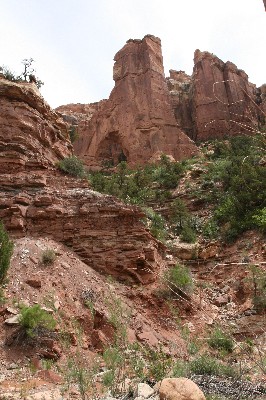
(33, 319)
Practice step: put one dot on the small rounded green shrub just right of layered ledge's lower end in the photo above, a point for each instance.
(179, 277)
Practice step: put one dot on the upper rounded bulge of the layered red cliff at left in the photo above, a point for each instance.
(32, 135)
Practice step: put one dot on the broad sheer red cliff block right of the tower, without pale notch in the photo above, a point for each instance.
(223, 101)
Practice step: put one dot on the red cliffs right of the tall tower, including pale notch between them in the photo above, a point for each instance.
(217, 101)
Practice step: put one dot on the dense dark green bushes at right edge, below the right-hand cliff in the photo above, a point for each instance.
(237, 178)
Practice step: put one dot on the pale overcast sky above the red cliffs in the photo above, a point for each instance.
(73, 42)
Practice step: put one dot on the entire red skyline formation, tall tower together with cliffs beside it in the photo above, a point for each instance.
(147, 115)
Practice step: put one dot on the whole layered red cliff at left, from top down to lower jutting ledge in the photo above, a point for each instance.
(37, 200)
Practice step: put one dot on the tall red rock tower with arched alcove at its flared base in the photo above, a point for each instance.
(138, 120)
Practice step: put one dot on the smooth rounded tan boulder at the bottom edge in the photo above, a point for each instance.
(179, 389)
